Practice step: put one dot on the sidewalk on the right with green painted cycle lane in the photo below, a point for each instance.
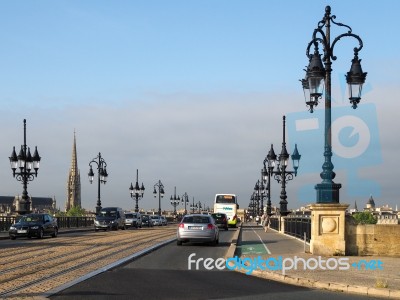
(254, 242)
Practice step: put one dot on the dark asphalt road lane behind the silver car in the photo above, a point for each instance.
(165, 274)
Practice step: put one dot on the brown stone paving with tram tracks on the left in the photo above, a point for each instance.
(52, 262)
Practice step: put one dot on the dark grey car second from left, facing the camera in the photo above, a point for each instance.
(110, 218)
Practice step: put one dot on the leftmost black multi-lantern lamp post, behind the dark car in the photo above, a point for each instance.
(28, 167)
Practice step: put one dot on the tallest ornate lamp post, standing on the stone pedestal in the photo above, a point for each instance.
(313, 84)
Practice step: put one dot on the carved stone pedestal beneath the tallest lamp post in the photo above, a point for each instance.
(328, 229)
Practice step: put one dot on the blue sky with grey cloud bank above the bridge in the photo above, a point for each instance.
(192, 93)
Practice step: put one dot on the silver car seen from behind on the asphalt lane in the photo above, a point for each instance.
(197, 228)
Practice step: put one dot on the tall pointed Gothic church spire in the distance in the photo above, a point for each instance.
(74, 181)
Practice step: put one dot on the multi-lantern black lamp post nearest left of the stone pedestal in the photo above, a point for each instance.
(282, 175)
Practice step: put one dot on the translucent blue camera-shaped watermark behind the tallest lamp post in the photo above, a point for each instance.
(355, 145)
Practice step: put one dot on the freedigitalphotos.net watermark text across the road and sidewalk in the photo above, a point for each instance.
(281, 264)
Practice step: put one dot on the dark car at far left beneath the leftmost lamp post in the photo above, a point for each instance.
(31, 225)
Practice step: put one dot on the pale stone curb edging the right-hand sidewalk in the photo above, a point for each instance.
(331, 286)
